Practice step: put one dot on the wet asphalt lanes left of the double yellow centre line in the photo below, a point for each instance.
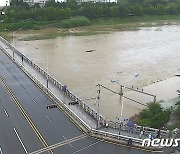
(14, 127)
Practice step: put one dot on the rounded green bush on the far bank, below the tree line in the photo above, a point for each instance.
(75, 22)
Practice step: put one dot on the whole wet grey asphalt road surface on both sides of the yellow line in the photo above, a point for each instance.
(53, 126)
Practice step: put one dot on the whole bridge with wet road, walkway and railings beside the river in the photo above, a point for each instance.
(42, 116)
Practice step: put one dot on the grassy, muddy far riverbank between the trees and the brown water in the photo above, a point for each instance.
(96, 27)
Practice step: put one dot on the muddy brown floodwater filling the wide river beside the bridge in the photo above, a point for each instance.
(135, 58)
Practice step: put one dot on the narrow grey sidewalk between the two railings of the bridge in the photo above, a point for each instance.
(78, 110)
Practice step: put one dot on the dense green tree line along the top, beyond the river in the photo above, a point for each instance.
(52, 10)
